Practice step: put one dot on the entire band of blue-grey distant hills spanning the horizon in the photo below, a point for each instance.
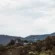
(4, 39)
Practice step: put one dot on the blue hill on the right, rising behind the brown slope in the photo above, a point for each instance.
(38, 37)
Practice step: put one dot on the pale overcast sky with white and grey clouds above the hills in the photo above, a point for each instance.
(27, 17)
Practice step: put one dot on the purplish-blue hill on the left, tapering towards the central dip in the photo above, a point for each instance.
(4, 39)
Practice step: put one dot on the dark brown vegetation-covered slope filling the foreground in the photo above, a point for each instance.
(40, 47)
